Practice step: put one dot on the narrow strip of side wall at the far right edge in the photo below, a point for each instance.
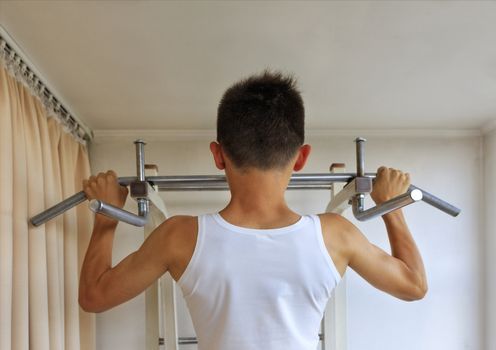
(490, 238)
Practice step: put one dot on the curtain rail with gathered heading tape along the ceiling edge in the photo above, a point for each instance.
(19, 67)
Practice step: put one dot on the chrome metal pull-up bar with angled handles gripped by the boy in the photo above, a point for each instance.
(358, 185)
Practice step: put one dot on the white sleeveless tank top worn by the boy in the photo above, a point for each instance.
(258, 289)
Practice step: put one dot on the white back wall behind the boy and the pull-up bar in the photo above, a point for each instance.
(450, 317)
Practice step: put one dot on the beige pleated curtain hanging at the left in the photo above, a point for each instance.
(40, 164)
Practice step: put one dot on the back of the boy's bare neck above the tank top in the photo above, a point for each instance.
(257, 200)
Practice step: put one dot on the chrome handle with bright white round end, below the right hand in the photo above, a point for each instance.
(386, 207)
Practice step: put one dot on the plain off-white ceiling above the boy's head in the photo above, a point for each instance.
(360, 64)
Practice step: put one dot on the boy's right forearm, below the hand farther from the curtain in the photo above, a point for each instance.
(403, 246)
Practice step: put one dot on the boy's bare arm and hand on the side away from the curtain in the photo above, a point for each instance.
(400, 273)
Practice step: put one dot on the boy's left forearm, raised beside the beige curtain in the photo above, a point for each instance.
(98, 257)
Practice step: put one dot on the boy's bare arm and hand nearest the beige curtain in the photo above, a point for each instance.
(103, 286)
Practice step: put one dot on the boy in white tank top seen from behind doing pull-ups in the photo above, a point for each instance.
(256, 275)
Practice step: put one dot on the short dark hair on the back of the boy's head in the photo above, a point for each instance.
(261, 120)
